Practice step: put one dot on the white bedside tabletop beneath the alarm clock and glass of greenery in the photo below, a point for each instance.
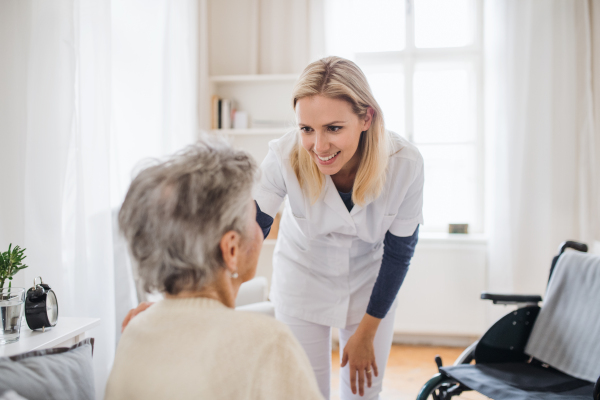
(67, 332)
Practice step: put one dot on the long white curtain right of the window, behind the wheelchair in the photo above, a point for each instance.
(543, 141)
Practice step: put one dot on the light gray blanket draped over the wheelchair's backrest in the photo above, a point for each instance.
(566, 334)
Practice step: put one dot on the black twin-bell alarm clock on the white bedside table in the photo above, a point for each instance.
(41, 307)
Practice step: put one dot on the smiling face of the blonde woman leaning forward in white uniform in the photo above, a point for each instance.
(330, 132)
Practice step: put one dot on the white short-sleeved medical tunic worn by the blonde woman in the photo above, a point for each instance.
(327, 259)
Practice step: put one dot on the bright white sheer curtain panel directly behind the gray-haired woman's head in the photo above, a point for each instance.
(154, 102)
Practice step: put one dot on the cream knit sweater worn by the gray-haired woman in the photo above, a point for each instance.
(199, 349)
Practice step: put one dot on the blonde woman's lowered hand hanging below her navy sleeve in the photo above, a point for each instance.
(360, 353)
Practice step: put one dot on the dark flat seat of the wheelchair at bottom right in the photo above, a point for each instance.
(520, 381)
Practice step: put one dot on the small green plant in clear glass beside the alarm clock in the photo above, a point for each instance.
(11, 299)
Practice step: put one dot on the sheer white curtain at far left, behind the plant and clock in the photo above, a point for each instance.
(58, 87)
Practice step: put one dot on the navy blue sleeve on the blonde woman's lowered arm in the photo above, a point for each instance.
(397, 253)
